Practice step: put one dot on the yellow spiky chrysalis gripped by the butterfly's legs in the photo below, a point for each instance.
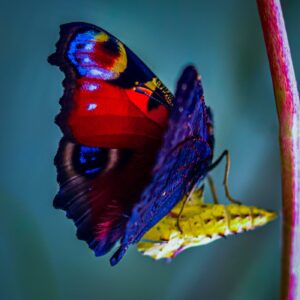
(198, 224)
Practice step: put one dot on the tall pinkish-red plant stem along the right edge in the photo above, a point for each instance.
(288, 109)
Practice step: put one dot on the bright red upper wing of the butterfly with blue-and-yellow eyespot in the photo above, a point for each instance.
(107, 91)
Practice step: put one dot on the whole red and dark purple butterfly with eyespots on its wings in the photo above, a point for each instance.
(130, 150)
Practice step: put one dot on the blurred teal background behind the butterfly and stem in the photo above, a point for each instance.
(40, 256)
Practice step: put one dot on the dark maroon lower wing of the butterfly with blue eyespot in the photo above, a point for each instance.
(96, 189)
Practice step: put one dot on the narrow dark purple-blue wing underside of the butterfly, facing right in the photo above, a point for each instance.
(182, 161)
